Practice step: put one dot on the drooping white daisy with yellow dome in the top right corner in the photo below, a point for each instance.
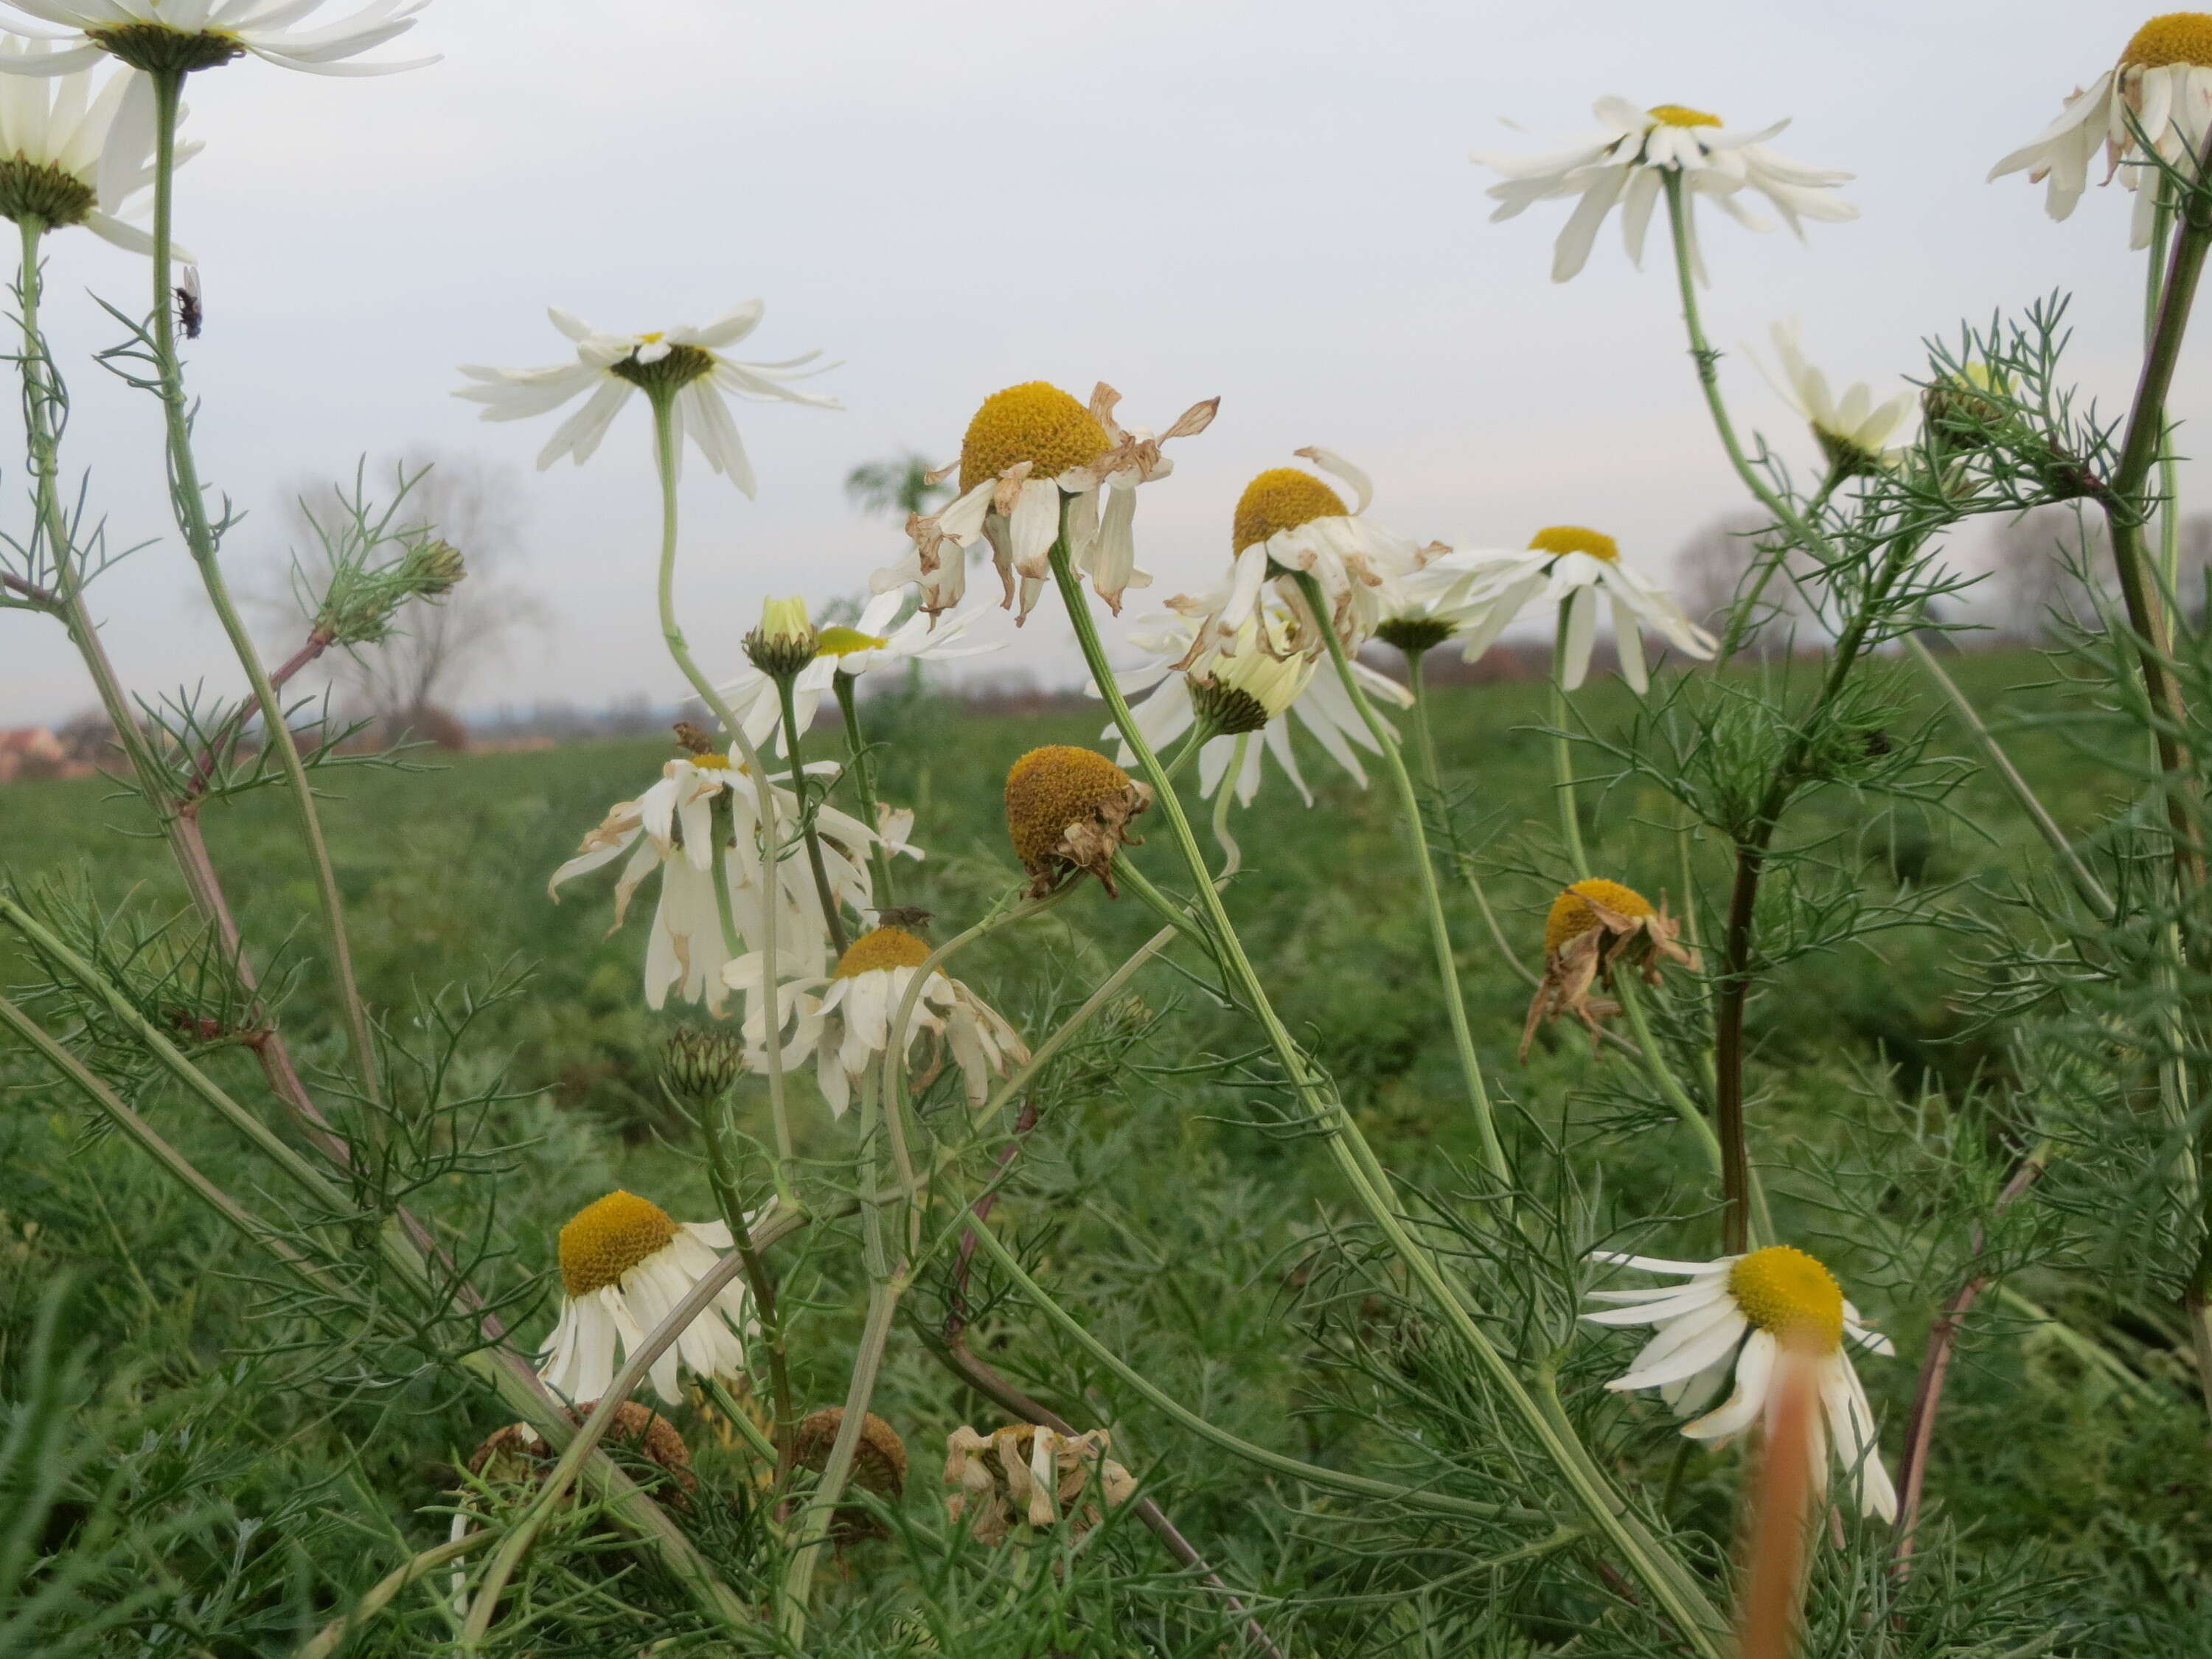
(2158, 92)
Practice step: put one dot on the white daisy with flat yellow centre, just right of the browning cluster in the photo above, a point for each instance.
(1572, 567)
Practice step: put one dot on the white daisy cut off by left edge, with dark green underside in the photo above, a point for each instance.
(74, 156)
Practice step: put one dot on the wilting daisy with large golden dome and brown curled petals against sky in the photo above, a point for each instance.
(1027, 450)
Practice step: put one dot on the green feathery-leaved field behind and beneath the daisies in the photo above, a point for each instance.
(2069, 1479)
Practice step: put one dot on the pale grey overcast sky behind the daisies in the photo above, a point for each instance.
(1266, 202)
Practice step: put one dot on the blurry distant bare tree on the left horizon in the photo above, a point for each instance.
(410, 680)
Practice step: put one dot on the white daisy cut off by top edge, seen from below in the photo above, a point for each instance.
(167, 36)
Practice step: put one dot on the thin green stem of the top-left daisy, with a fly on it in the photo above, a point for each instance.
(191, 510)
